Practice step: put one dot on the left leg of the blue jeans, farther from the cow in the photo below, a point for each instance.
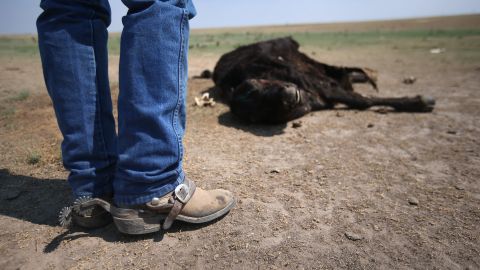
(72, 37)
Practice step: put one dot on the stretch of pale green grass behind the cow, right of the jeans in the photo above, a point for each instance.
(224, 42)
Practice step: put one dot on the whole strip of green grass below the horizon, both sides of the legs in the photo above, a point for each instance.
(218, 42)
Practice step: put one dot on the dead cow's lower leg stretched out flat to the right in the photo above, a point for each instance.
(403, 104)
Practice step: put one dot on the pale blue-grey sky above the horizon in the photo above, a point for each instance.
(18, 16)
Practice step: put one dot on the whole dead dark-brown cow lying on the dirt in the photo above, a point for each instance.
(272, 82)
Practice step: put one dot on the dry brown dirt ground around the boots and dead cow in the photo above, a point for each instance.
(347, 189)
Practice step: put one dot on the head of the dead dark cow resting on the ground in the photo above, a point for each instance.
(268, 101)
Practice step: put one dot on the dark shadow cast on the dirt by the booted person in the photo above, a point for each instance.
(39, 201)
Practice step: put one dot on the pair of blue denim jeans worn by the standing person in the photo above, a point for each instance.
(145, 159)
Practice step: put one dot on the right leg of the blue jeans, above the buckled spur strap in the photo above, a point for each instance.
(151, 104)
